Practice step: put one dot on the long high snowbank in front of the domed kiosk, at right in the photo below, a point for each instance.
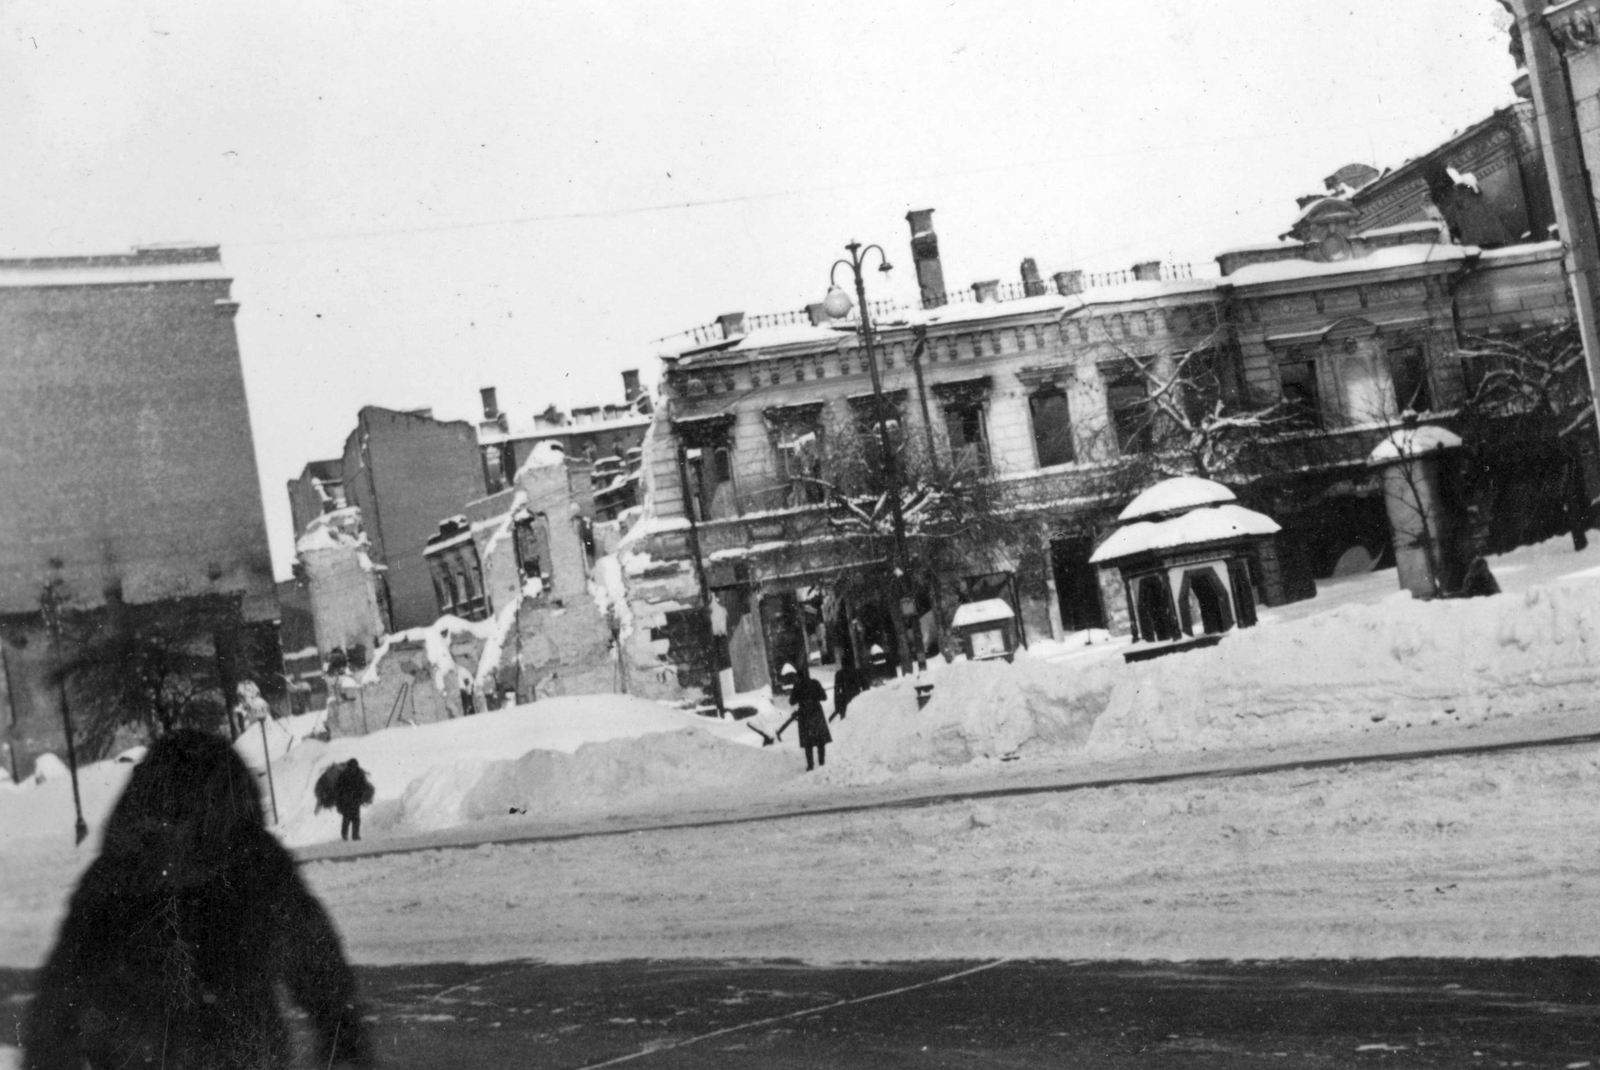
(1366, 668)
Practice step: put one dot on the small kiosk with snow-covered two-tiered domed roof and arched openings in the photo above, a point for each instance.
(1193, 562)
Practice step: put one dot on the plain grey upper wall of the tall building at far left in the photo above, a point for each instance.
(127, 442)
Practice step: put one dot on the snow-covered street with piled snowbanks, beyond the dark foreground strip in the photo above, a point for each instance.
(1478, 856)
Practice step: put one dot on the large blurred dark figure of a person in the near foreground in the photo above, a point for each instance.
(183, 930)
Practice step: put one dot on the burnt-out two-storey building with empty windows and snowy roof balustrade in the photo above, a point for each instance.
(1052, 389)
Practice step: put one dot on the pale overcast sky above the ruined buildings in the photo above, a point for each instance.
(423, 199)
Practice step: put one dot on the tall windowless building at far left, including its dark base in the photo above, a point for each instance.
(129, 469)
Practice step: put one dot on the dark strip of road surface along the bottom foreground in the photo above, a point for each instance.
(673, 1015)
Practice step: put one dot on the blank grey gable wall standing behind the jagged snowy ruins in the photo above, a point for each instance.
(407, 473)
